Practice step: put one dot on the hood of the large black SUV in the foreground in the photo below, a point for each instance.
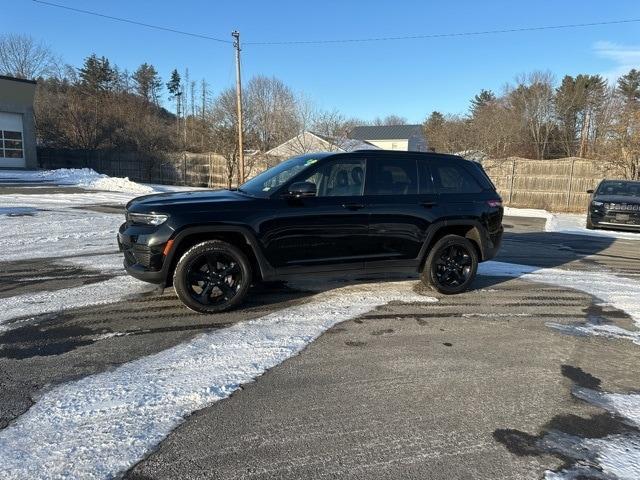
(162, 201)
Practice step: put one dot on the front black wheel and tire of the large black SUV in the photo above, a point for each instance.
(212, 277)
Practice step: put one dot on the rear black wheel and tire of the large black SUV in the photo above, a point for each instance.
(451, 265)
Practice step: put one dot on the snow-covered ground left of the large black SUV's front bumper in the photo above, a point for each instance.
(55, 226)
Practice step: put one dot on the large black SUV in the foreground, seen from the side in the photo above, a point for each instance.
(320, 214)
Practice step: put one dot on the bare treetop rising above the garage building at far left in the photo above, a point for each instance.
(22, 56)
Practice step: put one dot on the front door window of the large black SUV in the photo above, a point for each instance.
(339, 179)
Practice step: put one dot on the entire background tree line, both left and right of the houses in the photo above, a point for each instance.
(101, 106)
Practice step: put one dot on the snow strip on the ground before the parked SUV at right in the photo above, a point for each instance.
(568, 223)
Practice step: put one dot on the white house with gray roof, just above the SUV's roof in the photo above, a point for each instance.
(392, 137)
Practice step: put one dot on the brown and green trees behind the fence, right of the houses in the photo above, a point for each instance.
(582, 116)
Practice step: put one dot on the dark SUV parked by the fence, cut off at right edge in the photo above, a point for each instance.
(615, 204)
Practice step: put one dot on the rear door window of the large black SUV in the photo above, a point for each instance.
(392, 176)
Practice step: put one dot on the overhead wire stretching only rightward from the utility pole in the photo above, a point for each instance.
(445, 35)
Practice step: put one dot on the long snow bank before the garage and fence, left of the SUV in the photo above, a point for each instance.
(81, 177)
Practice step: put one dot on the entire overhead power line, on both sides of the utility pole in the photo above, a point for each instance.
(347, 40)
